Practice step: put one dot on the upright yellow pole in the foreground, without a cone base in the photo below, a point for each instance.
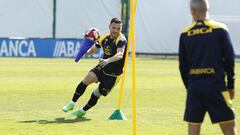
(133, 9)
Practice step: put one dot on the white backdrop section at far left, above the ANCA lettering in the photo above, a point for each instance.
(26, 18)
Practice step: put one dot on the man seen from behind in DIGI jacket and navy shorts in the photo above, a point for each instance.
(206, 56)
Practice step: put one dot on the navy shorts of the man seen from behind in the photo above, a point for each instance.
(205, 95)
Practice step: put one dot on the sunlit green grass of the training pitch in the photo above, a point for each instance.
(34, 90)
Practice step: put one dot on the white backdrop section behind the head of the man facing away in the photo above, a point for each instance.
(159, 23)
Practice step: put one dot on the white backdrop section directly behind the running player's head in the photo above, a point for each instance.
(76, 16)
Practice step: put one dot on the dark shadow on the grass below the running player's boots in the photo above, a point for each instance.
(57, 121)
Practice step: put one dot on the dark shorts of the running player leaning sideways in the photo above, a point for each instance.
(107, 82)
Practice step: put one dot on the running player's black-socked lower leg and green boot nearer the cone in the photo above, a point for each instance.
(92, 102)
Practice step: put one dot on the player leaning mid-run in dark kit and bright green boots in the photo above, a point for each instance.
(107, 71)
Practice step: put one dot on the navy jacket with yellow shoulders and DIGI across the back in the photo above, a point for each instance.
(206, 51)
